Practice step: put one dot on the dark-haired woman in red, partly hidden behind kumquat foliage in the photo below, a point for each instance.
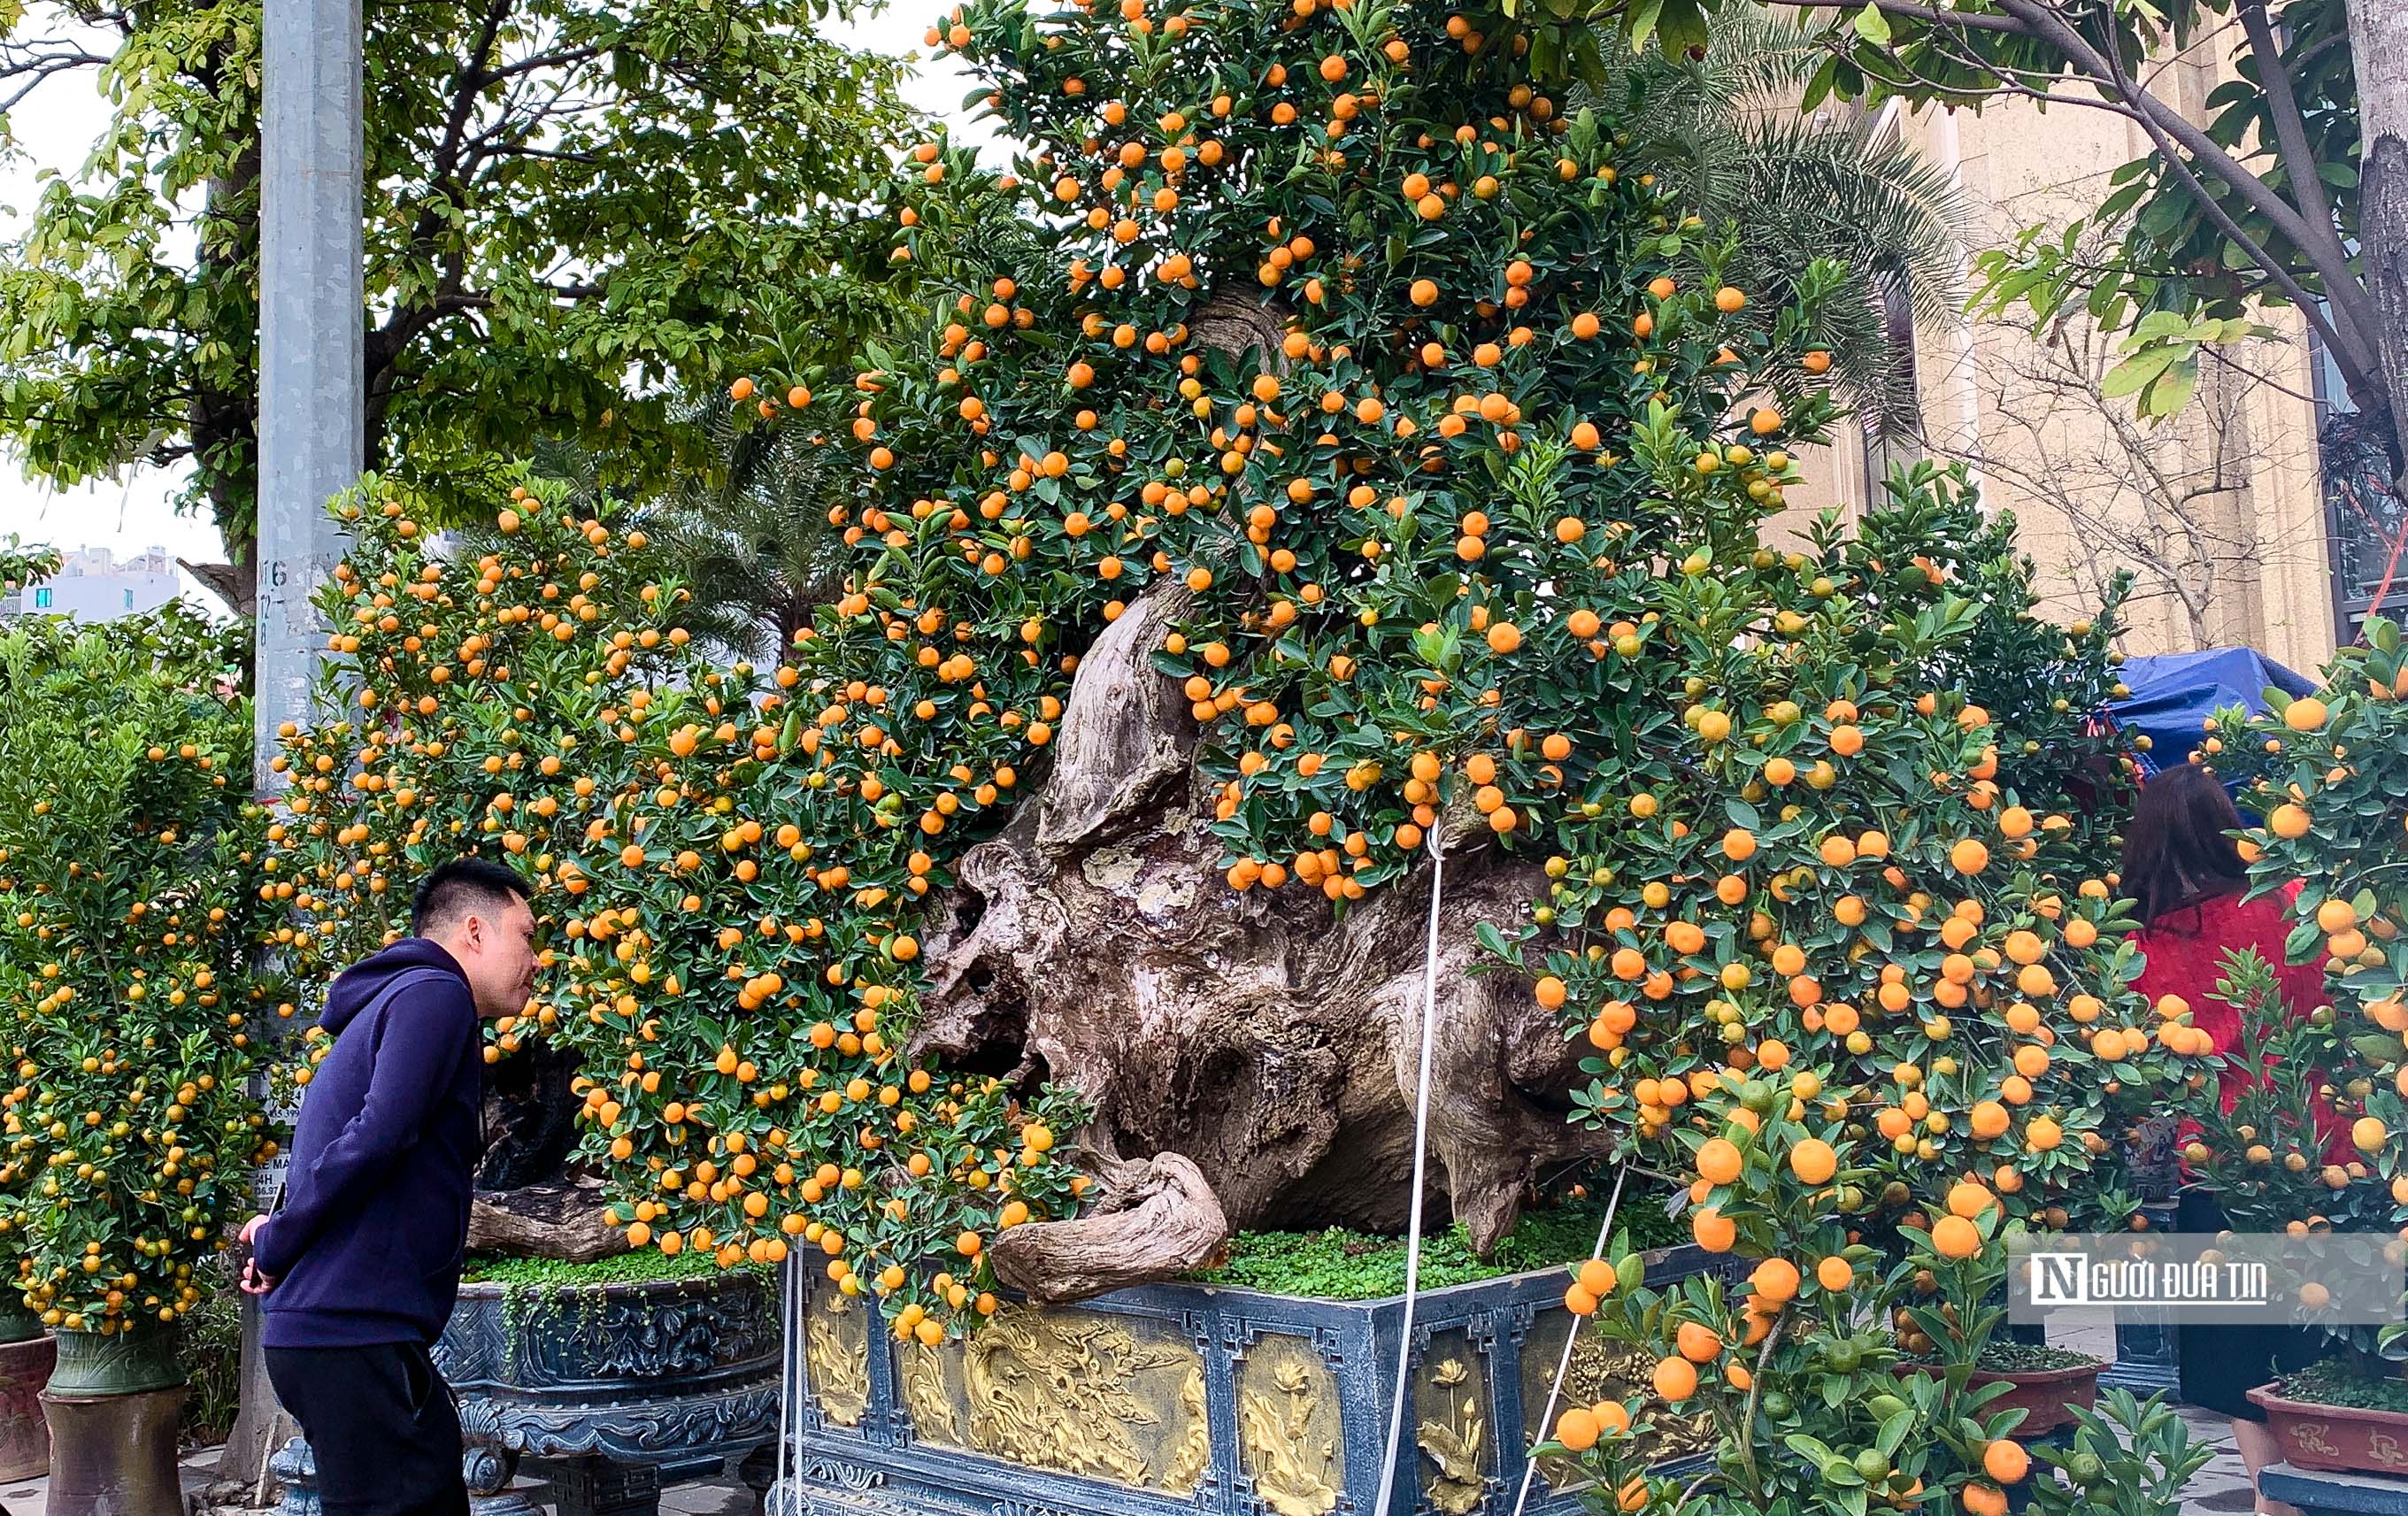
(2185, 875)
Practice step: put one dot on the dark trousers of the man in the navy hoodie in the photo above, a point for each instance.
(382, 1423)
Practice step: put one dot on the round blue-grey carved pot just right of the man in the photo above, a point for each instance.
(613, 1385)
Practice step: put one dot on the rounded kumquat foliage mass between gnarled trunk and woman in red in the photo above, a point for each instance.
(1853, 870)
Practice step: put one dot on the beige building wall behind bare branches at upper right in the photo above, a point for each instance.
(2221, 514)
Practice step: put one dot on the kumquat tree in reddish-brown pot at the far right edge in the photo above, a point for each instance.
(2313, 1144)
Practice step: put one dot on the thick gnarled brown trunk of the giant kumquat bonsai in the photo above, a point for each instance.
(1277, 1048)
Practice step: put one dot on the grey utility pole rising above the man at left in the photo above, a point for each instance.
(312, 333)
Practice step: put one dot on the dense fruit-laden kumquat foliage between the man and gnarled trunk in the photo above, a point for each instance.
(726, 872)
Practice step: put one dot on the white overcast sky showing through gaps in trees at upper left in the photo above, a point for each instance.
(57, 129)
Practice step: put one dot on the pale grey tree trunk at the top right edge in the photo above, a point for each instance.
(2380, 52)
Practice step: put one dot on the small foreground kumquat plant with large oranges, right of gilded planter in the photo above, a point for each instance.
(1839, 1373)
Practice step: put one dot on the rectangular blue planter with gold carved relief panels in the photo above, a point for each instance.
(1167, 1399)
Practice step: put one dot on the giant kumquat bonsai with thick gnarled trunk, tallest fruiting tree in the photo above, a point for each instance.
(1427, 451)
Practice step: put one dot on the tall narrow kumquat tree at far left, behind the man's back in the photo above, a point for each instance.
(129, 930)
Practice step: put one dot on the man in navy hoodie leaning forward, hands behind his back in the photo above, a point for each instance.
(362, 1257)
